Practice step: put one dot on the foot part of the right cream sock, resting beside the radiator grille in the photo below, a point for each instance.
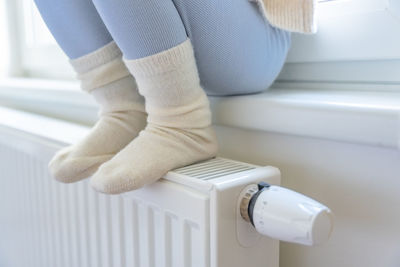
(152, 154)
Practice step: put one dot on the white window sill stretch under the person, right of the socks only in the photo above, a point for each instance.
(359, 117)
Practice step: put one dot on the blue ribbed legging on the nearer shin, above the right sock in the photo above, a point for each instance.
(142, 27)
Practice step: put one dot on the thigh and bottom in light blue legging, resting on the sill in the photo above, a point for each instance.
(237, 52)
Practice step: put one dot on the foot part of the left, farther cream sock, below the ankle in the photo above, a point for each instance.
(110, 134)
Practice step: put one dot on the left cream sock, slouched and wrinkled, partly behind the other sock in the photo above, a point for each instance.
(122, 115)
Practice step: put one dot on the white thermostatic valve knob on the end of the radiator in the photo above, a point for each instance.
(286, 215)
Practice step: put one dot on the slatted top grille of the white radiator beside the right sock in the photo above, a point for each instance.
(213, 168)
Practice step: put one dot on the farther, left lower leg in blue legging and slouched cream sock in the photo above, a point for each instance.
(97, 60)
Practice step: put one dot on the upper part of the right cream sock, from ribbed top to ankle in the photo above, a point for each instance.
(170, 84)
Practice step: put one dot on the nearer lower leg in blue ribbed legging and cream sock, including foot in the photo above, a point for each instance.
(179, 122)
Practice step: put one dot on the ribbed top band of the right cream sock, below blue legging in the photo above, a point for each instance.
(165, 61)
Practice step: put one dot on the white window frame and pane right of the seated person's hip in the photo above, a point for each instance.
(358, 56)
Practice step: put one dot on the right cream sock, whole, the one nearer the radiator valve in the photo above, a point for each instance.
(179, 130)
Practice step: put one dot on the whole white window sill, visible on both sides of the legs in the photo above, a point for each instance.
(363, 117)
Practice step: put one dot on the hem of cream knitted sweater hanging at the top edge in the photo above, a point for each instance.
(291, 15)
